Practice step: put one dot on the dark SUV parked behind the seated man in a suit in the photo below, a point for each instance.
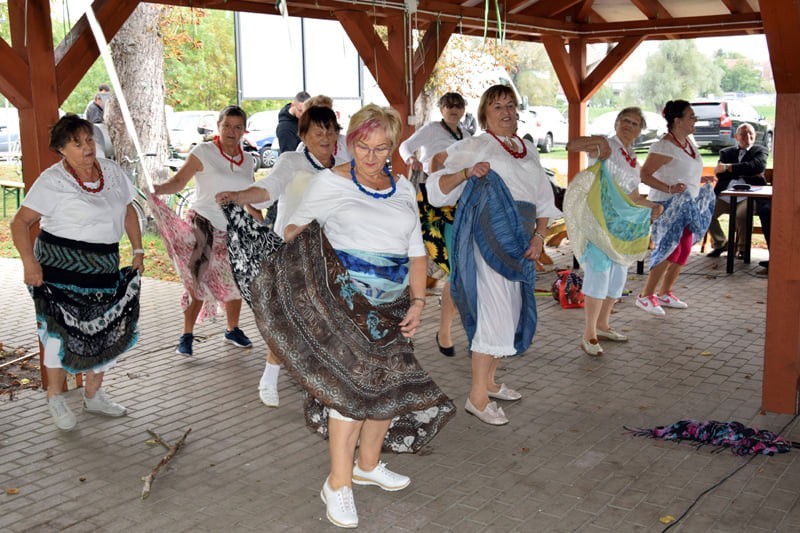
(717, 121)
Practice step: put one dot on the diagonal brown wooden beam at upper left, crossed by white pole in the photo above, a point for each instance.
(78, 51)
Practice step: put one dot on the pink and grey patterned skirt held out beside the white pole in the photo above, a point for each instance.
(200, 255)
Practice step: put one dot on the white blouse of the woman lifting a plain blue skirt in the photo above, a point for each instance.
(525, 178)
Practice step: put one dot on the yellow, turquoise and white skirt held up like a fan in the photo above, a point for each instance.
(603, 223)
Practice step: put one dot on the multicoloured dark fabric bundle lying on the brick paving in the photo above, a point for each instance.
(741, 439)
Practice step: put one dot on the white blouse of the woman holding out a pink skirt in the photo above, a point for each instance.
(218, 175)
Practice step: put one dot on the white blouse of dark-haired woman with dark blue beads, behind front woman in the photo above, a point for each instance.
(287, 183)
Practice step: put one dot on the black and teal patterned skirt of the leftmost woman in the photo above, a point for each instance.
(85, 301)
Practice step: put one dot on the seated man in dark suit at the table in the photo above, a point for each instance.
(744, 163)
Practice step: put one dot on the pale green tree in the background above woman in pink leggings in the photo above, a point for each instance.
(676, 70)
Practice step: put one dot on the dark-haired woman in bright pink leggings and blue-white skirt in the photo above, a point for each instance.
(673, 171)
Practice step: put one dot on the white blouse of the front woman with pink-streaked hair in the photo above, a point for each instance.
(353, 220)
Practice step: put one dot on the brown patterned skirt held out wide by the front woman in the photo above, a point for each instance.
(346, 353)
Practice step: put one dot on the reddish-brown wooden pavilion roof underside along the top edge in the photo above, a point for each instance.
(529, 20)
